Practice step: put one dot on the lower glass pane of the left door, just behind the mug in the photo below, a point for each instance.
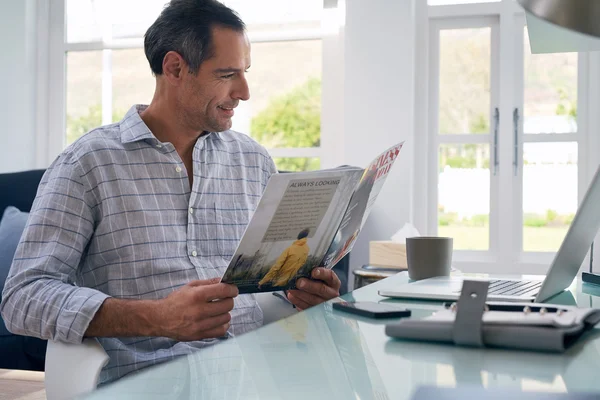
(464, 195)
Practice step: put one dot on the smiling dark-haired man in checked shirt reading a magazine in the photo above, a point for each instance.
(134, 224)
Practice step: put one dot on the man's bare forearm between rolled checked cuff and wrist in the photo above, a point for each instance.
(125, 318)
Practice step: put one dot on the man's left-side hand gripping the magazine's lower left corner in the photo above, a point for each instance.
(198, 310)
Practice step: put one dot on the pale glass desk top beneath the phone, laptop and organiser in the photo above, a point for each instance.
(328, 354)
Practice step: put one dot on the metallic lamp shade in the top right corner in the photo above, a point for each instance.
(581, 16)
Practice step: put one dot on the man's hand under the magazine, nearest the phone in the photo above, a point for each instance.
(310, 293)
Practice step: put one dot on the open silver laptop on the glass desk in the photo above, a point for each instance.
(563, 270)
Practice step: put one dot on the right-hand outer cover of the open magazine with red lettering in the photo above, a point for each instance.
(360, 205)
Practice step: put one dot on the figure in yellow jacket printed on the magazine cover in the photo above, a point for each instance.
(289, 262)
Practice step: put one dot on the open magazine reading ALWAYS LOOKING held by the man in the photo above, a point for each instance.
(305, 220)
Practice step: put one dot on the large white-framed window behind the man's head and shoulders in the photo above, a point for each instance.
(107, 71)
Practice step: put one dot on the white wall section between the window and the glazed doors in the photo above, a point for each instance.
(379, 106)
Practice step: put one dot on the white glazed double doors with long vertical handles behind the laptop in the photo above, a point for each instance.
(505, 141)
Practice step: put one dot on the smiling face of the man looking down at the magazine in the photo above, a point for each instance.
(208, 99)
